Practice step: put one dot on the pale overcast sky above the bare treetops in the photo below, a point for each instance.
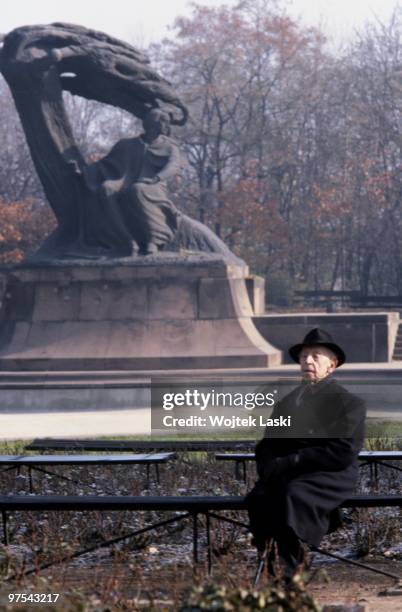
(143, 21)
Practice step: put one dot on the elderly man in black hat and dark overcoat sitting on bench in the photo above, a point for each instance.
(307, 472)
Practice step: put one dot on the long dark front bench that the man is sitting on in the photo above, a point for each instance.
(188, 506)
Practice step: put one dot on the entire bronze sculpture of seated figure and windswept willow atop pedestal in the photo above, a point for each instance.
(119, 204)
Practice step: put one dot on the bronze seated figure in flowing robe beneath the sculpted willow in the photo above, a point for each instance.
(131, 184)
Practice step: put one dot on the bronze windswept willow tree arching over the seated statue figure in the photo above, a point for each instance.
(38, 63)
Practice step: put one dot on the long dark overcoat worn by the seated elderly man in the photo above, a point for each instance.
(321, 459)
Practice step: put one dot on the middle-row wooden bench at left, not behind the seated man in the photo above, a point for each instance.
(36, 462)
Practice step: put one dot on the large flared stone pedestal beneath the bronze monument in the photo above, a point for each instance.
(160, 312)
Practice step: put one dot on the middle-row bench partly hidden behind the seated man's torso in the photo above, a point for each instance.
(371, 458)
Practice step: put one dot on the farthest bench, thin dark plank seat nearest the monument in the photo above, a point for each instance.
(42, 444)
